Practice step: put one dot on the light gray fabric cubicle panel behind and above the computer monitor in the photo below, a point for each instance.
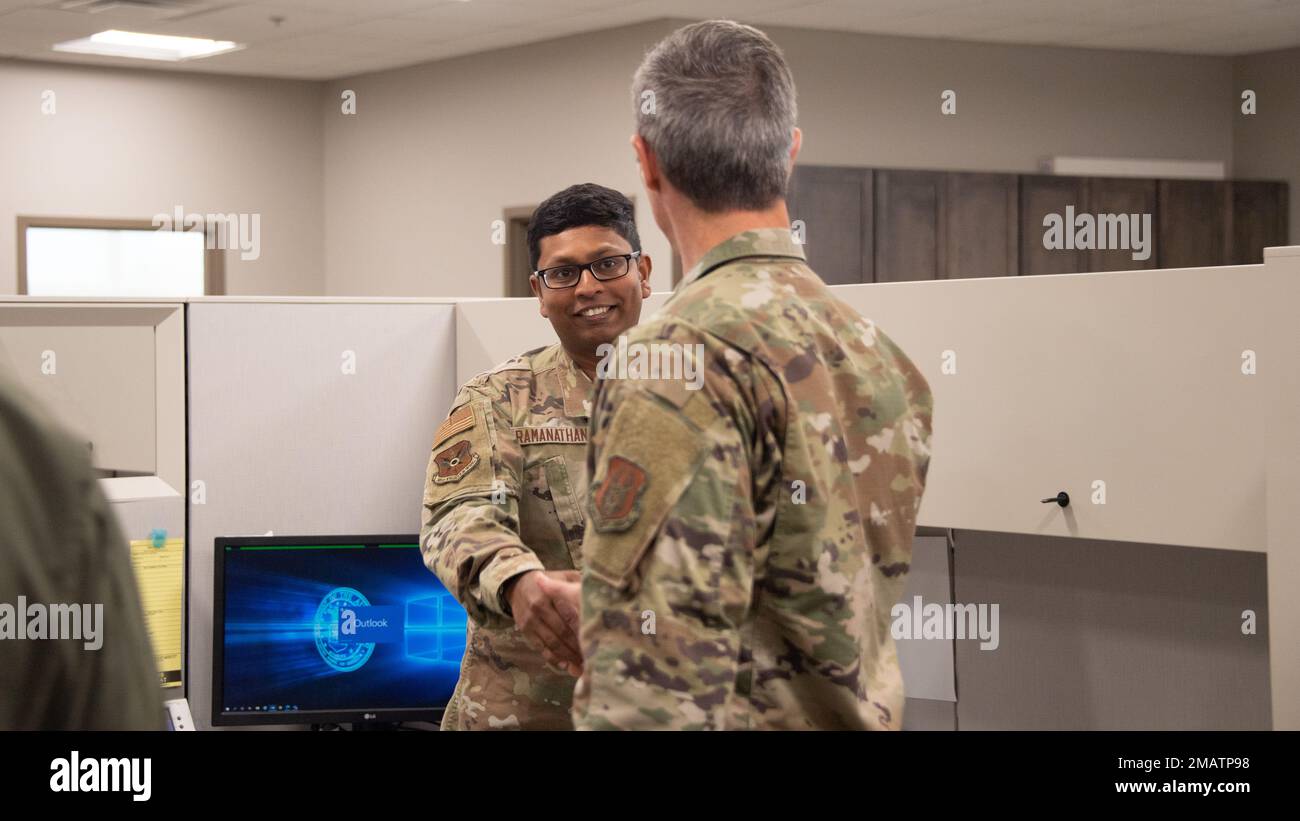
(285, 441)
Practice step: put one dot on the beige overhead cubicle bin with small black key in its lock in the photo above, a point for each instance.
(1056, 384)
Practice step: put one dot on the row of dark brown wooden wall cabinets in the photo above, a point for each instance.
(899, 225)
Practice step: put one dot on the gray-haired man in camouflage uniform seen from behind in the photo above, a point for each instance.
(746, 540)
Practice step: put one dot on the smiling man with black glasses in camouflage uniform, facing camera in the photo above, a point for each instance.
(502, 523)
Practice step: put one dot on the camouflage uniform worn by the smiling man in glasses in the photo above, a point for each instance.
(504, 496)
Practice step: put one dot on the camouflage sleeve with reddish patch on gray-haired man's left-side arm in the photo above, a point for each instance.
(668, 553)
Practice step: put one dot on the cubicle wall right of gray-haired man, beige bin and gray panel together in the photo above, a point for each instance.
(1159, 401)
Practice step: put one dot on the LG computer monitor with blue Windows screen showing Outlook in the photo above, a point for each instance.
(330, 631)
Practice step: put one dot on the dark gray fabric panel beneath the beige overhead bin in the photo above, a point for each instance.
(1112, 636)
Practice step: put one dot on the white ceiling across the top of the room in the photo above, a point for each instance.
(326, 40)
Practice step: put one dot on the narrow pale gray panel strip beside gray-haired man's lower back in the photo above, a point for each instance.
(928, 663)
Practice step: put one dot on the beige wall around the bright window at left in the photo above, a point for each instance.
(133, 144)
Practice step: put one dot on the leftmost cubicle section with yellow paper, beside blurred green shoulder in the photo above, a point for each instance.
(112, 372)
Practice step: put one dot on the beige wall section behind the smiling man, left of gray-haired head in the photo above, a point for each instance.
(435, 153)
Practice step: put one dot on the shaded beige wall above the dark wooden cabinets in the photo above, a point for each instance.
(876, 101)
